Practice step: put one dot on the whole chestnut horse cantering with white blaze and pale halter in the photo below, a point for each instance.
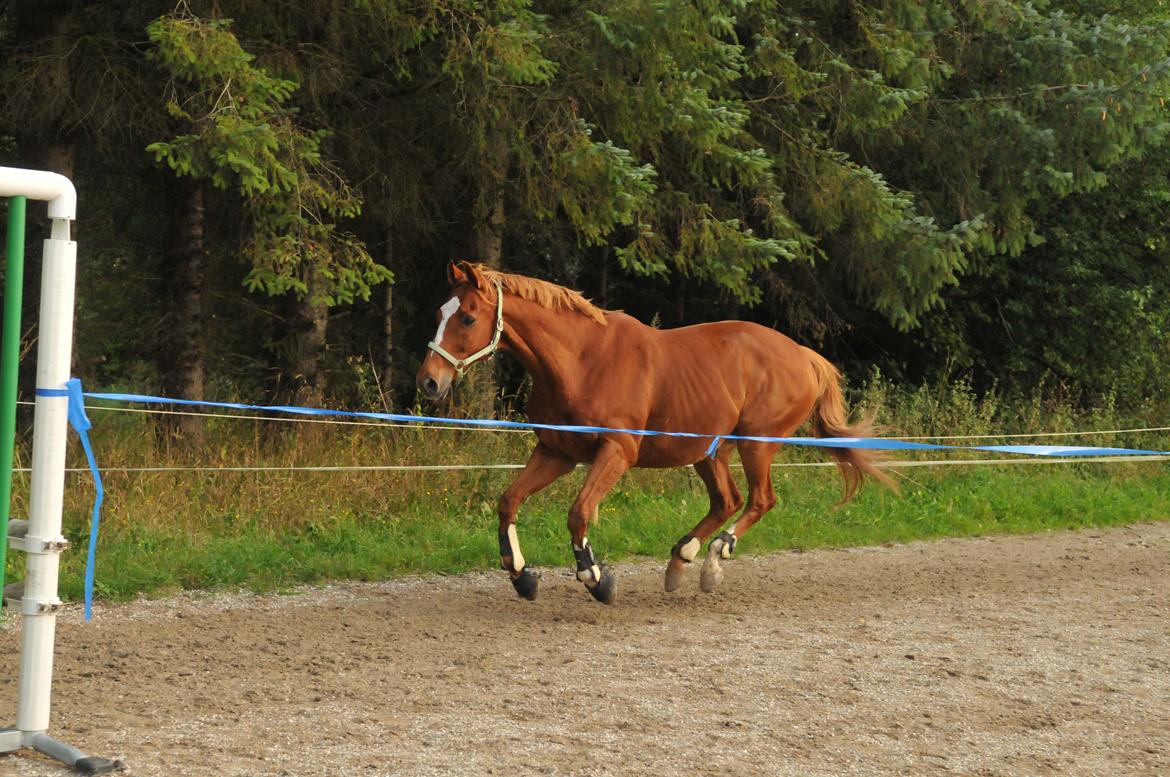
(604, 369)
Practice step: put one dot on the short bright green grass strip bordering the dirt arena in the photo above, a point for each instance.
(641, 519)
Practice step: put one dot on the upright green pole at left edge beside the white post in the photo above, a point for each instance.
(10, 366)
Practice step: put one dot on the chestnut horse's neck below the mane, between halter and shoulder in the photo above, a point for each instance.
(553, 346)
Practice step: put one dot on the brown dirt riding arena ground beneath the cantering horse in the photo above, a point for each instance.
(1024, 656)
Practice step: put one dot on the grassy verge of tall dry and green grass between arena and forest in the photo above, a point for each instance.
(169, 532)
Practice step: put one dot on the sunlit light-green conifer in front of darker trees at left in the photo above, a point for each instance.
(237, 134)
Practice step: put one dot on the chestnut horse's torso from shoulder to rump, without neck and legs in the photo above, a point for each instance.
(717, 379)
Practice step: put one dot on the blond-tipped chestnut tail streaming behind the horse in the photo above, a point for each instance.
(830, 420)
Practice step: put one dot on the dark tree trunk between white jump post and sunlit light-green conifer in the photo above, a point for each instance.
(183, 362)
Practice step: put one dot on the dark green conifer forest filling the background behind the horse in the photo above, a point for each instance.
(933, 191)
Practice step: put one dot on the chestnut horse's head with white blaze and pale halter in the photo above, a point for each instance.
(470, 327)
